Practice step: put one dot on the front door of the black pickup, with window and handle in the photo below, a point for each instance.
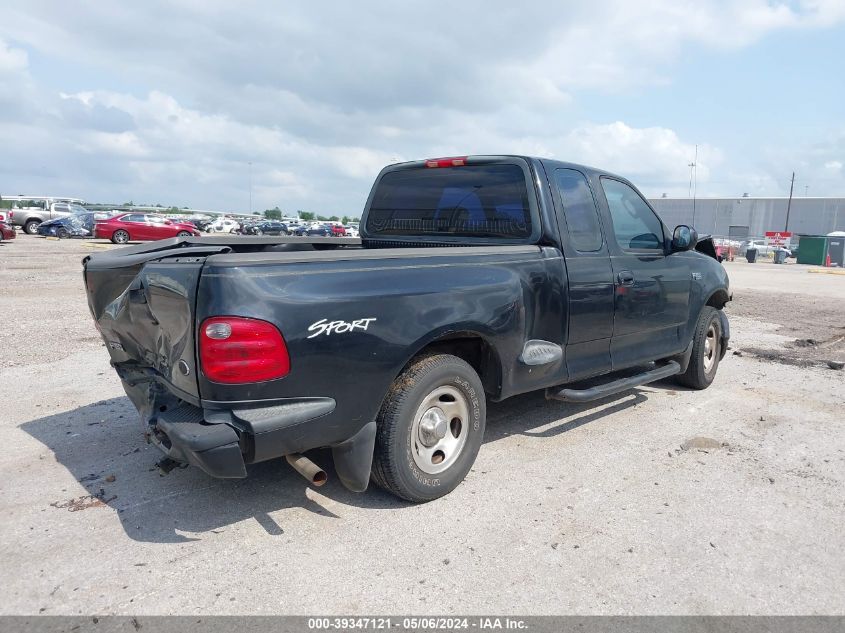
(652, 285)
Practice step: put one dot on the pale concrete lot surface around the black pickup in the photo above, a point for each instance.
(569, 509)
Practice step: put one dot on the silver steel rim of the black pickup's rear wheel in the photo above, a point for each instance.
(439, 430)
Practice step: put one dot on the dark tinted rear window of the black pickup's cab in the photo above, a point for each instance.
(467, 201)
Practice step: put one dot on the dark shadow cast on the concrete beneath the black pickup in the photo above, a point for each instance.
(102, 447)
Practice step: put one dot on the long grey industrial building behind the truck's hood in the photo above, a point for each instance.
(747, 216)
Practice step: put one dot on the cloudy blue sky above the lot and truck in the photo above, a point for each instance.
(170, 102)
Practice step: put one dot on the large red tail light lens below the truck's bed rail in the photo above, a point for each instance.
(236, 350)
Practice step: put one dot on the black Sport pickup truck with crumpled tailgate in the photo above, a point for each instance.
(475, 278)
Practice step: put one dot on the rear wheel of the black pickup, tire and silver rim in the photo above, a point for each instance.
(430, 428)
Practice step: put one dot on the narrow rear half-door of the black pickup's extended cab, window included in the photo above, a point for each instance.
(590, 276)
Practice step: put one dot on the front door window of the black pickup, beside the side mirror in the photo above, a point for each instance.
(635, 225)
